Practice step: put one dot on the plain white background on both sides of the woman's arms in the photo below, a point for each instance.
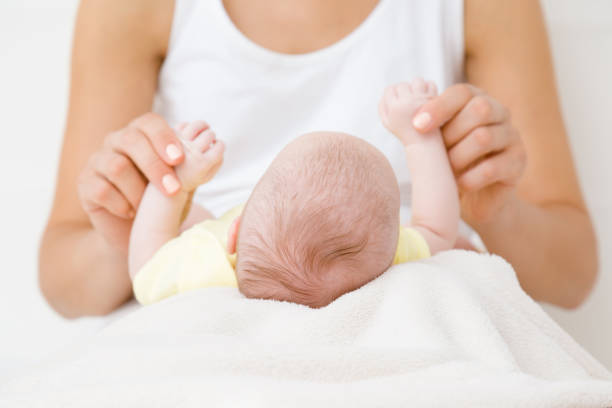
(35, 41)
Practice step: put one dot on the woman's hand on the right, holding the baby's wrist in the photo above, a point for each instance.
(484, 149)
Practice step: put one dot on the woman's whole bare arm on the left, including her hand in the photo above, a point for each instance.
(118, 50)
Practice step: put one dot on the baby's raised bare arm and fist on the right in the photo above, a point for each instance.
(435, 202)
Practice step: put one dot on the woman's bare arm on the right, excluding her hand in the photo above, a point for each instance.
(545, 230)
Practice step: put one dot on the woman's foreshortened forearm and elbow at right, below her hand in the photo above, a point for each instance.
(552, 248)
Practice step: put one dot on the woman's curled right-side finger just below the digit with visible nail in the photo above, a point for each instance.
(481, 110)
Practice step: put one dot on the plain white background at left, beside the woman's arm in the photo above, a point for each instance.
(35, 42)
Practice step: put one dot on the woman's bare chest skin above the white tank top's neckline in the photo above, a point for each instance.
(297, 26)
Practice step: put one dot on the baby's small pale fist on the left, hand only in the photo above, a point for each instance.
(203, 155)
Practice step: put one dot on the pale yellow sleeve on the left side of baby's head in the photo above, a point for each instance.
(195, 259)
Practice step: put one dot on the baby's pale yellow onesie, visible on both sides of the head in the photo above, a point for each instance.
(198, 258)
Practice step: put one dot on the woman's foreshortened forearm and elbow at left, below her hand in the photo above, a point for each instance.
(80, 274)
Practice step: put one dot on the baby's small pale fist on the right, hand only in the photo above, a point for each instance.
(399, 104)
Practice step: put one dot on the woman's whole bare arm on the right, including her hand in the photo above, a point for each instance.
(538, 223)
